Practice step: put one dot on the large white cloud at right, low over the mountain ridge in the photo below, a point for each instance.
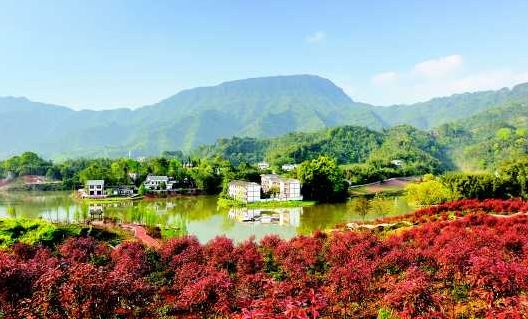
(435, 78)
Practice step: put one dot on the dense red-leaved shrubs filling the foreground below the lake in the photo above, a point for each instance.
(473, 266)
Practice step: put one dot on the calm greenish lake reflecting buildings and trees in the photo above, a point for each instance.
(199, 215)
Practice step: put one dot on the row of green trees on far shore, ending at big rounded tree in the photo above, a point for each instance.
(322, 179)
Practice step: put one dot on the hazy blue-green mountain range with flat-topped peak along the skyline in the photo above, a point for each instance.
(259, 107)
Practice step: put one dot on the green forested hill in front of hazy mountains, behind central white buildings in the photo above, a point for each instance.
(418, 150)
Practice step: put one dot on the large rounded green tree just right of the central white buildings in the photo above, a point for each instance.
(322, 180)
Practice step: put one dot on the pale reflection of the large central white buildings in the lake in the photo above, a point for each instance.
(281, 216)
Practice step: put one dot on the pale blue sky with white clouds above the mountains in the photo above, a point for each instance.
(102, 54)
